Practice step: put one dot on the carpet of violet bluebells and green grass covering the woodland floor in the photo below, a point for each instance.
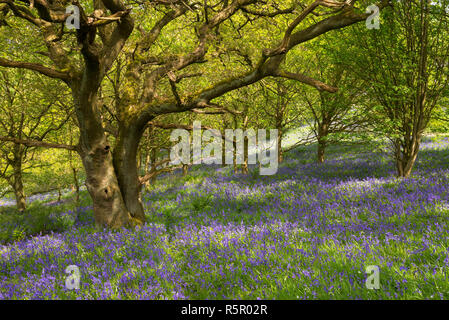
(308, 232)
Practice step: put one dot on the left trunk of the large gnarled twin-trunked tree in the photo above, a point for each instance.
(95, 151)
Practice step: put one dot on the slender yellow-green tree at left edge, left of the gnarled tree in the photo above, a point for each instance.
(25, 113)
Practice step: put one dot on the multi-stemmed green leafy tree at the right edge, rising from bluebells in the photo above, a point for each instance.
(406, 64)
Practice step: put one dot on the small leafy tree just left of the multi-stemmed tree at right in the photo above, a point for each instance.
(330, 116)
